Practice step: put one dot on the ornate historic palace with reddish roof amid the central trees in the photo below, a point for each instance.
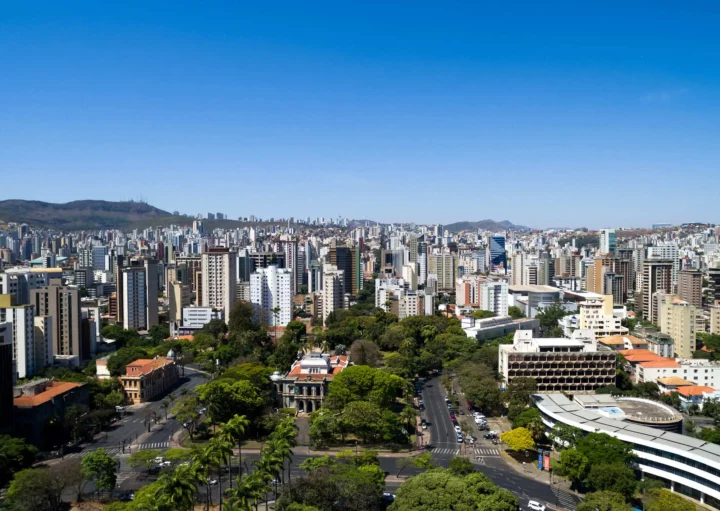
(305, 386)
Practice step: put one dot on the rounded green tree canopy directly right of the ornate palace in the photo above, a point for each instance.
(363, 383)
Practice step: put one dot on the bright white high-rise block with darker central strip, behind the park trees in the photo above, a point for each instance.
(271, 295)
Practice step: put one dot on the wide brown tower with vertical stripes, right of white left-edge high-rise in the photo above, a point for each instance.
(62, 304)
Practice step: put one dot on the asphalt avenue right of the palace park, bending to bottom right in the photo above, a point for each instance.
(444, 448)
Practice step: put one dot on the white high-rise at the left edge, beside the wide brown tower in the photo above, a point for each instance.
(21, 319)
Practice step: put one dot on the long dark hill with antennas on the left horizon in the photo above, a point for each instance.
(78, 215)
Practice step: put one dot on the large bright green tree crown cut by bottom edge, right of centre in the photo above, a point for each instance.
(440, 490)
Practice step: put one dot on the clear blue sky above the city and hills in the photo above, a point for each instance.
(545, 114)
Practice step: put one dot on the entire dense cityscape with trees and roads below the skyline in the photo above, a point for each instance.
(332, 364)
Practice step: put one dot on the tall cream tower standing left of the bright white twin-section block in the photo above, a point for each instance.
(219, 279)
